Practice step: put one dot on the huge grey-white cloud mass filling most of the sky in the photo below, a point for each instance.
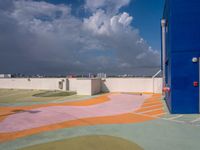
(52, 40)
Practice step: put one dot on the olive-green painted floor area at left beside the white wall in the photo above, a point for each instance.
(13, 97)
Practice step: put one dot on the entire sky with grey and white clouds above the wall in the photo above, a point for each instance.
(59, 37)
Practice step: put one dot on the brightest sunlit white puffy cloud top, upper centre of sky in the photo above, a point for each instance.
(101, 24)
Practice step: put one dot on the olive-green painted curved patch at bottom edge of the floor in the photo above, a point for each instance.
(92, 142)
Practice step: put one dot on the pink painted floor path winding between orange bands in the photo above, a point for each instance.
(118, 104)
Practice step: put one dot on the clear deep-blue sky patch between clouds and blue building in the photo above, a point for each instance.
(147, 18)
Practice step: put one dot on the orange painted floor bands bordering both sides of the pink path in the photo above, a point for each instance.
(150, 110)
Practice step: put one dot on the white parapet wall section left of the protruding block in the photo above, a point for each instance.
(34, 83)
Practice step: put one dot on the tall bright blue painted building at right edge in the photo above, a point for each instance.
(182, 44)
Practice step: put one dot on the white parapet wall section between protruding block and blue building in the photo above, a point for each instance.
(149, 85)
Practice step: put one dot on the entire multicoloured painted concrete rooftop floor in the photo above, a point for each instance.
(118, 121)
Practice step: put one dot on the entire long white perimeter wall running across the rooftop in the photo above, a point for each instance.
(86, 86)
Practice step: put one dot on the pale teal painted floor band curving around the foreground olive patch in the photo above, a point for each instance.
(152, 135)
